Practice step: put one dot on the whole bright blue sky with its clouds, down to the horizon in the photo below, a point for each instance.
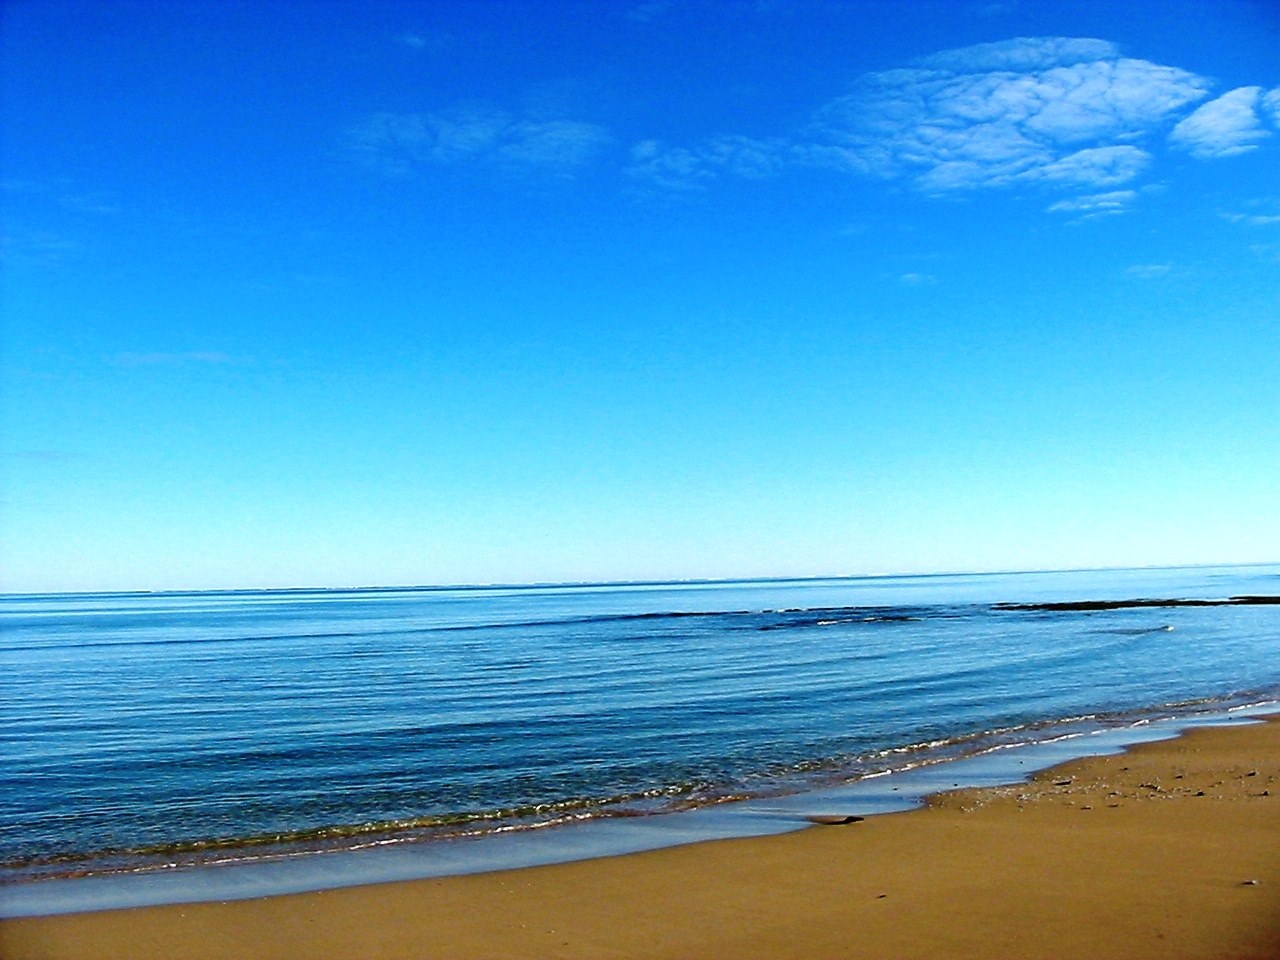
(387, 294)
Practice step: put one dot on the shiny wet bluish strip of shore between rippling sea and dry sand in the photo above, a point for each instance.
(382, 861)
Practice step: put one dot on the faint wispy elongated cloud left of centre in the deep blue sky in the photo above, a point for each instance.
(397, 144)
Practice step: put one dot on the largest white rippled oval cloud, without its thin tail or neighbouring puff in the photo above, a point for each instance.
(1054, 109)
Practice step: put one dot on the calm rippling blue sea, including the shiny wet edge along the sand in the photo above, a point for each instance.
(195, 746)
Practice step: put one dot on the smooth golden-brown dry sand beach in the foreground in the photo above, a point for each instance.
(1171, 851)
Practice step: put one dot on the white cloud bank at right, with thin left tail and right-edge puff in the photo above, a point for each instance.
(1066, 113)
